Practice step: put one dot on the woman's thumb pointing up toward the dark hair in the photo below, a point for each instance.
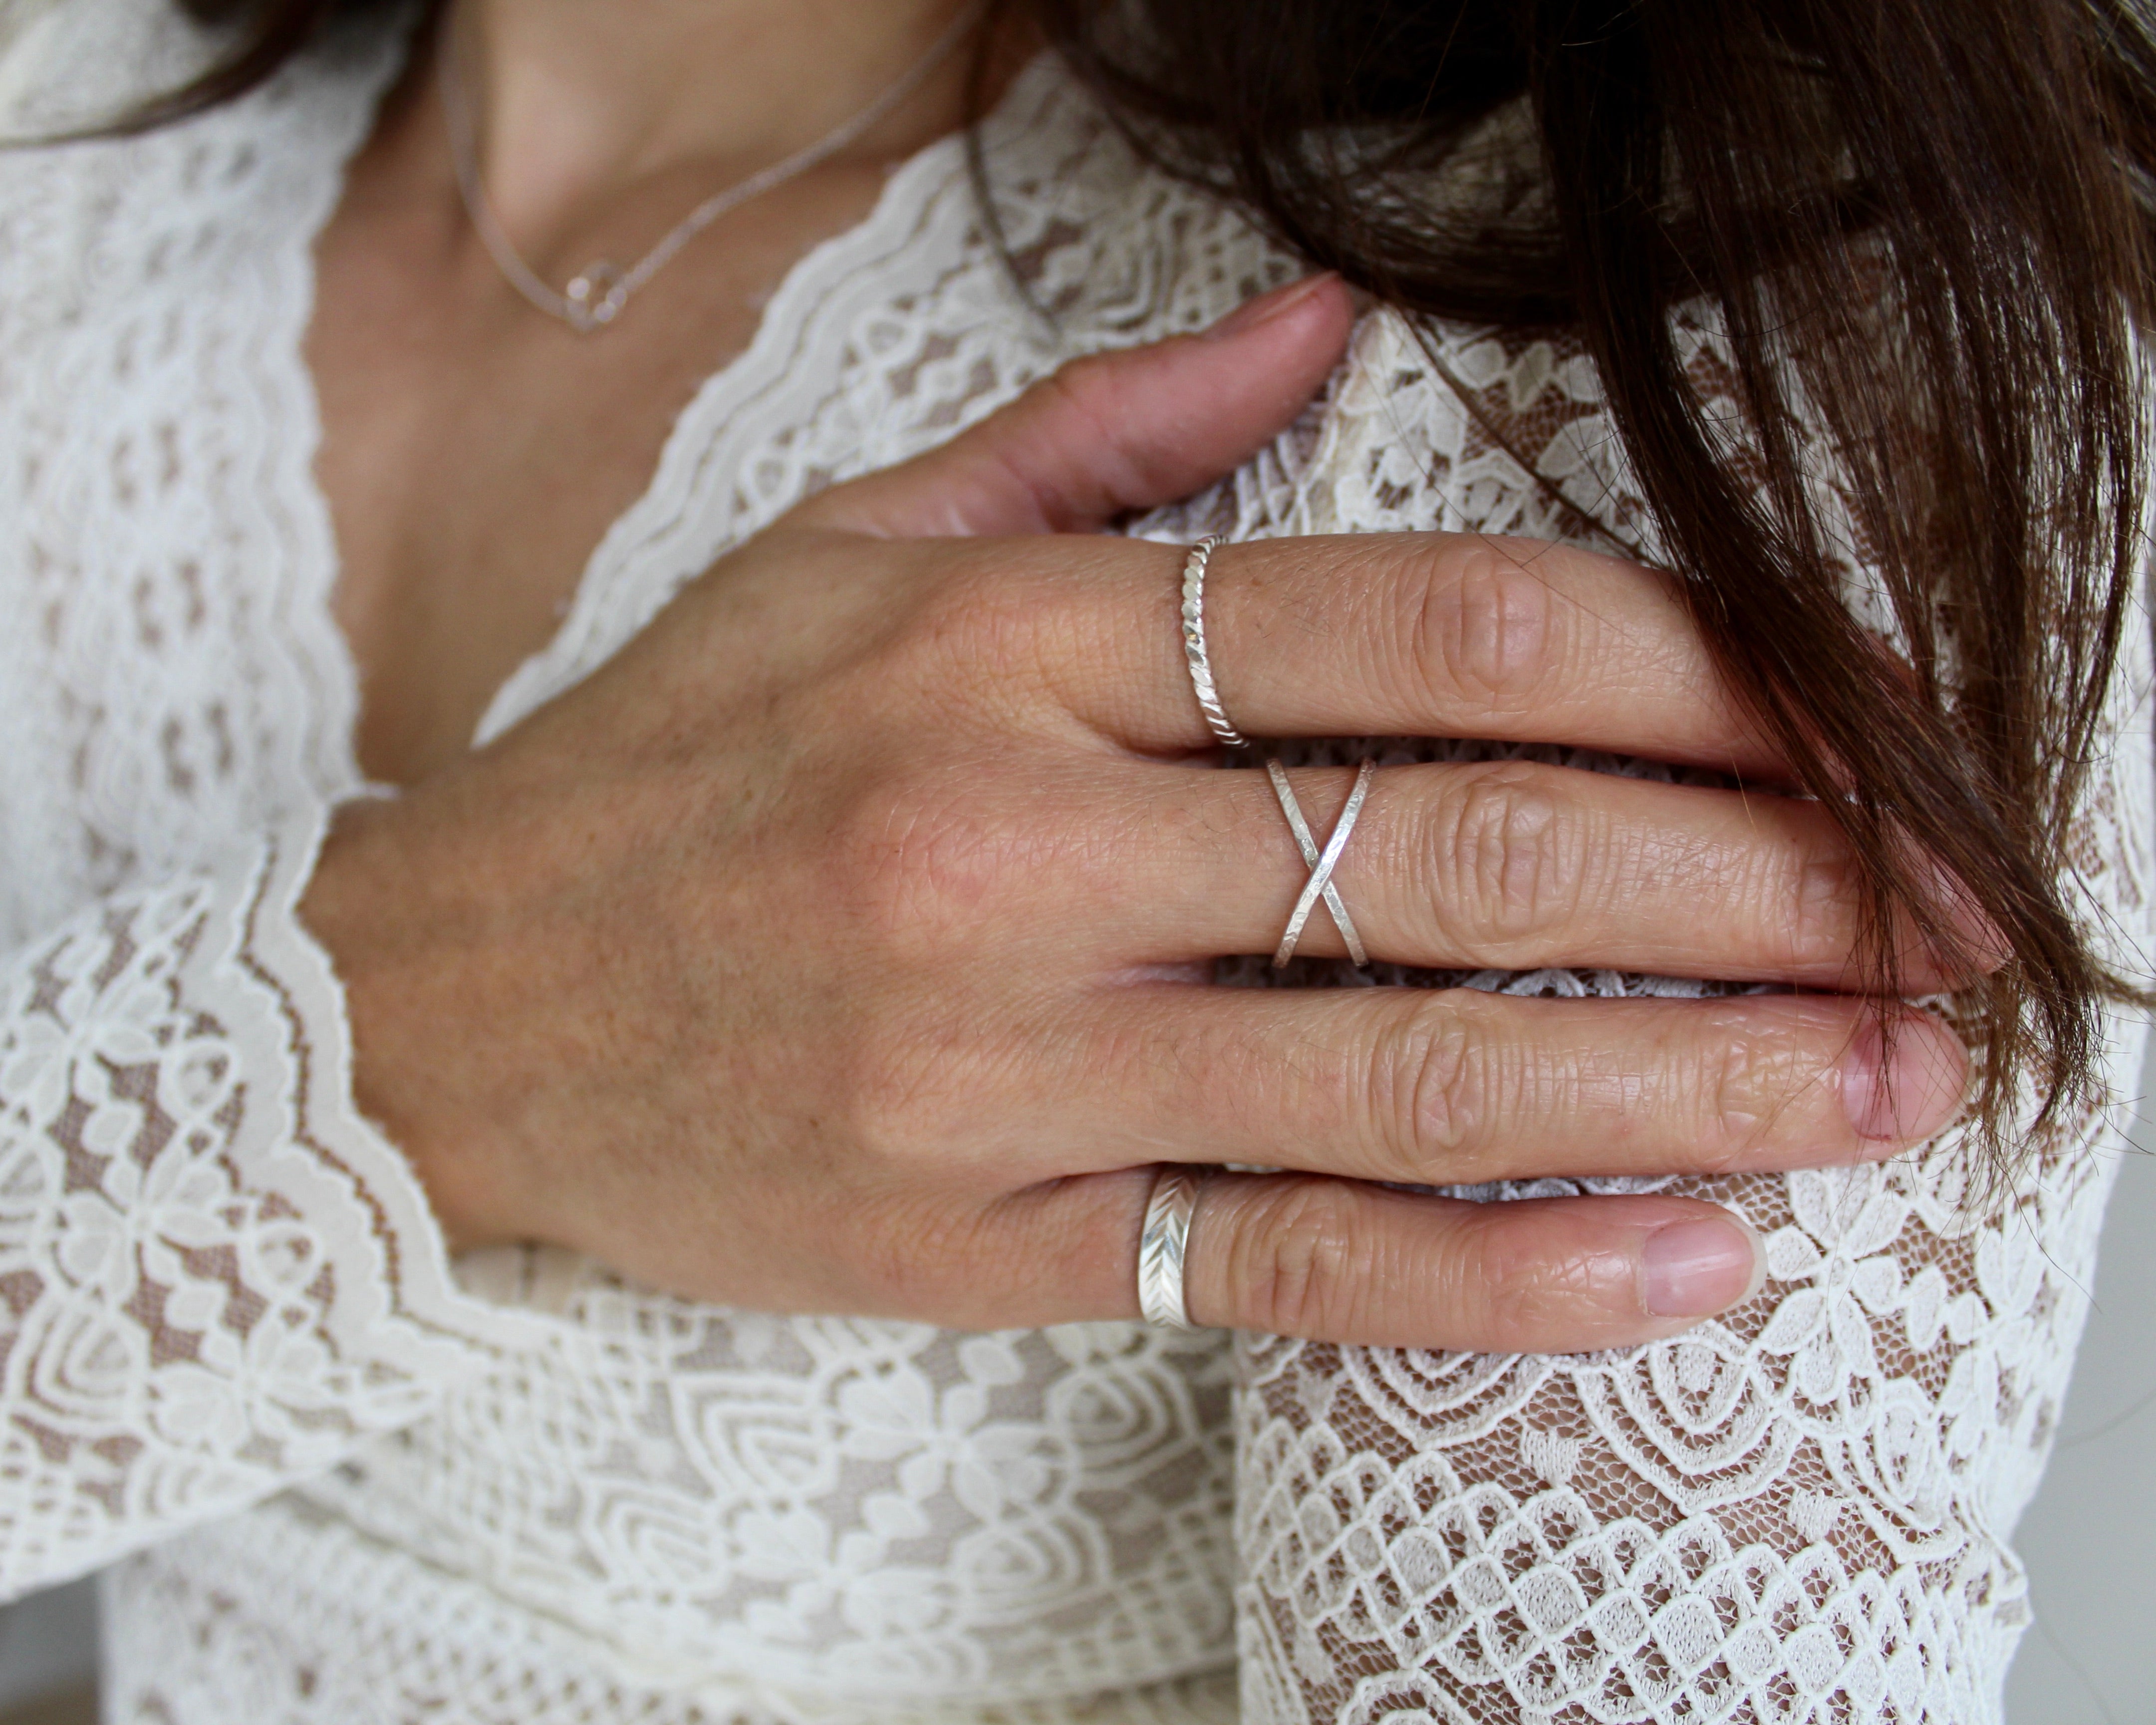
(1111, 432)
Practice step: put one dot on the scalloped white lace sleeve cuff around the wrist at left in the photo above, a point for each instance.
(215, 1275)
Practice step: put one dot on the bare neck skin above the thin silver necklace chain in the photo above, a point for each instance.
(579, 102)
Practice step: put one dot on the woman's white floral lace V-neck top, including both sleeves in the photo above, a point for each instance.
(342, 1480)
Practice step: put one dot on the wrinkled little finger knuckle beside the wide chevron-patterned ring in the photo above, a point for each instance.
(1301, 1265)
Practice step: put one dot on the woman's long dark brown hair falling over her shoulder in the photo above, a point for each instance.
(1926, 234)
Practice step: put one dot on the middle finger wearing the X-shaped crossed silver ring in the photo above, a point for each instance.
(1502, 866)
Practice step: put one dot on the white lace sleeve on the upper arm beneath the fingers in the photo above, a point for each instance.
(1797, 1513)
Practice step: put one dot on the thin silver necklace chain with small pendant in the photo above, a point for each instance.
(600, 290)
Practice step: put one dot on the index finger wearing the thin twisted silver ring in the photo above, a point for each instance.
(1441, 635)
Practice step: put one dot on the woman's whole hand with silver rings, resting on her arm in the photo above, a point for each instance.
(844, 943)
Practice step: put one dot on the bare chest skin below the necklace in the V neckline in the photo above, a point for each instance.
(475, 450)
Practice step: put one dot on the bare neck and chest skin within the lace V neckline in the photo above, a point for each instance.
(473, 450)
